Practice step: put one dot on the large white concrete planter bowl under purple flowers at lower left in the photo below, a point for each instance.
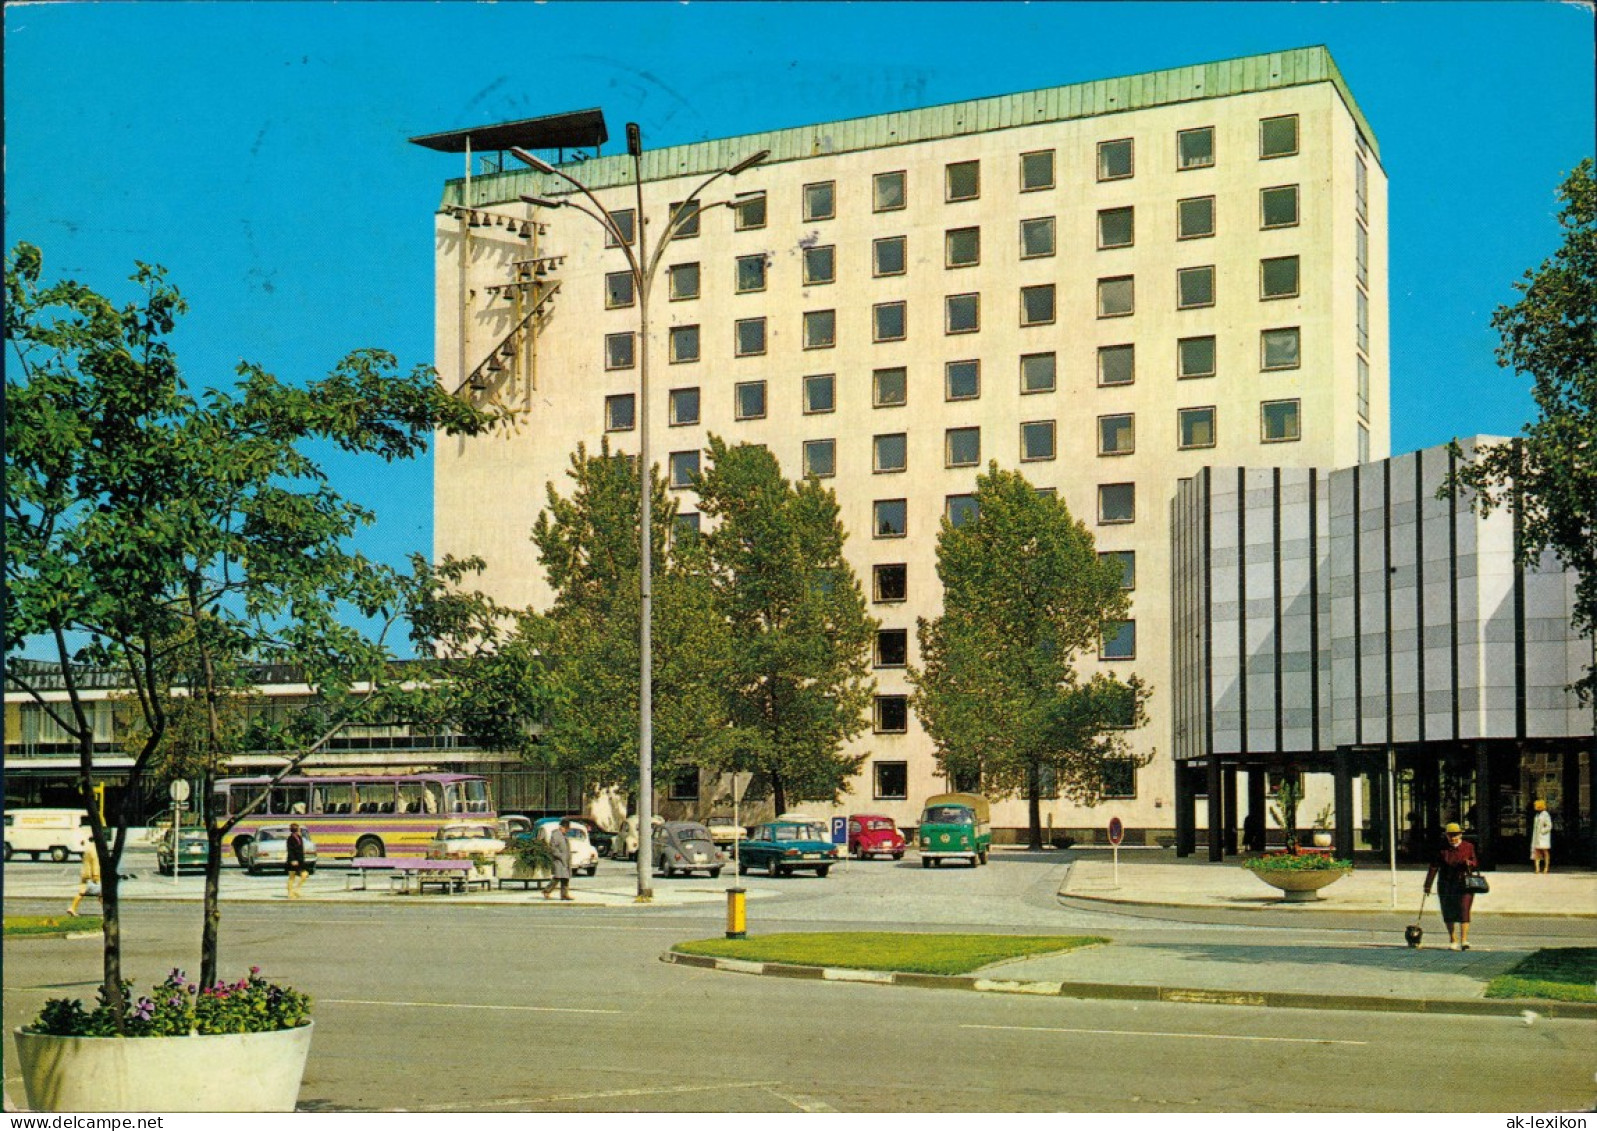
(229, 1073)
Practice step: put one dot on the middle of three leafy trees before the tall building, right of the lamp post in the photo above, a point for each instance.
(799, 677)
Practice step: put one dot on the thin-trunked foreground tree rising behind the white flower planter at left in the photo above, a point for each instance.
(176, 538)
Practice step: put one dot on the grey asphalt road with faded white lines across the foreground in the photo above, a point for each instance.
(429, 1007)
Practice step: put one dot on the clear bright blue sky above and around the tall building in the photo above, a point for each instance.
(260, 149)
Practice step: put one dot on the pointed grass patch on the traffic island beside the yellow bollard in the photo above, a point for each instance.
(913, 954)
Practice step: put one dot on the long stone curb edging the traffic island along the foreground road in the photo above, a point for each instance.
(1176, 994)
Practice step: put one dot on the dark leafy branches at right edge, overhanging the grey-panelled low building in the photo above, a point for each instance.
(1550, 477)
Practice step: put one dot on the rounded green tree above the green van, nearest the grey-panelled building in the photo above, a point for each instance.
(1024, 597)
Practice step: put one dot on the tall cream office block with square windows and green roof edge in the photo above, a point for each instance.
(1106, 285)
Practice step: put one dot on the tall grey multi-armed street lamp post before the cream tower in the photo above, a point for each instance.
(643, 268)
